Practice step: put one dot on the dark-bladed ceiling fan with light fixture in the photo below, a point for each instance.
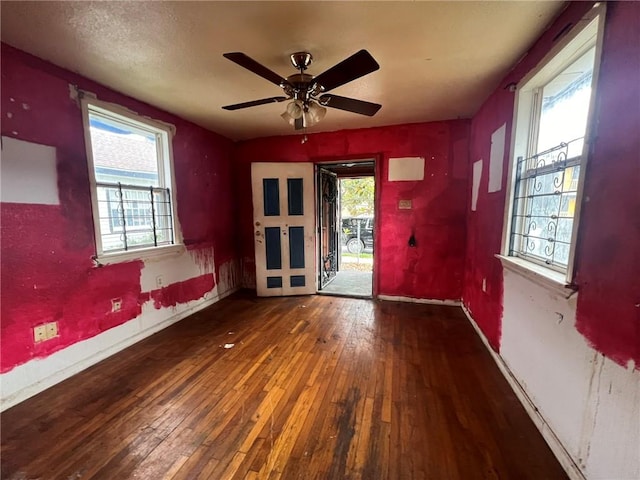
(308, 92)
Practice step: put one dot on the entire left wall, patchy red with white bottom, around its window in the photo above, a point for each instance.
(48, 240)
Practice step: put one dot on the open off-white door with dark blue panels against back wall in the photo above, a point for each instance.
(283, 221)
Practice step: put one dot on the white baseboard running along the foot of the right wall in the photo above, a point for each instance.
(565, 459)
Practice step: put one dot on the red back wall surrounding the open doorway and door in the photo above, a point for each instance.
(434, 268)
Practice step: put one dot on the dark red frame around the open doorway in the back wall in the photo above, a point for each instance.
(377, 158)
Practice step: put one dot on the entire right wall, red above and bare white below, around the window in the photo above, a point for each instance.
(576, 361)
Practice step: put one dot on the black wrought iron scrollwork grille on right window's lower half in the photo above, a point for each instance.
(546, 187)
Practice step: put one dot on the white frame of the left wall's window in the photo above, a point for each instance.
(164, 132)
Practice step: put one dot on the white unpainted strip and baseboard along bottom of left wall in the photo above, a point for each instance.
(35, 376)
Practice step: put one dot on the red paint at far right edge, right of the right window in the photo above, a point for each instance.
(608, 264)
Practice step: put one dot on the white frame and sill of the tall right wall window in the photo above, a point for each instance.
(558, 58)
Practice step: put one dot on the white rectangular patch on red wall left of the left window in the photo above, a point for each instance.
(28, 172)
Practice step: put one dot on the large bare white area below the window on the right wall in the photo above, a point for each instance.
(587, 401)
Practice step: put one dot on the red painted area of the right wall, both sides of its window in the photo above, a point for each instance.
(607, 253)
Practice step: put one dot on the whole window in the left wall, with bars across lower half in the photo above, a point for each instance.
(131, 172)
